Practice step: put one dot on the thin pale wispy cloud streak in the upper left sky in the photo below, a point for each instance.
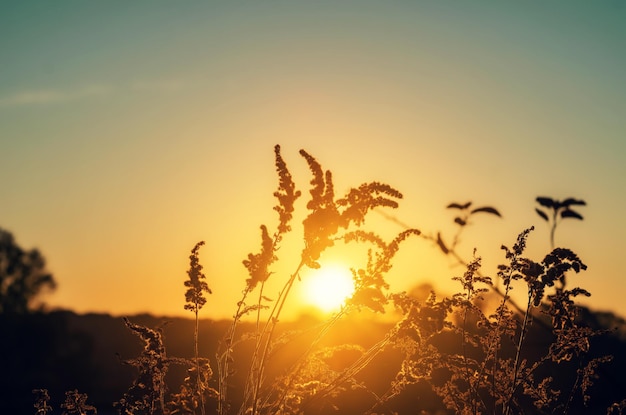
(56, 96)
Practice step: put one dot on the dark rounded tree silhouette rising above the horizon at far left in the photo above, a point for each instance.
(22, 275)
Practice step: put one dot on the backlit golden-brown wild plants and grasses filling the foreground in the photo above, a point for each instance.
(459, 354)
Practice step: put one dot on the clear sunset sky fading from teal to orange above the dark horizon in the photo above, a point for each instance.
(131, 131)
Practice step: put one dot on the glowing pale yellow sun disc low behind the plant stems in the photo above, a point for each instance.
(328, 287)
